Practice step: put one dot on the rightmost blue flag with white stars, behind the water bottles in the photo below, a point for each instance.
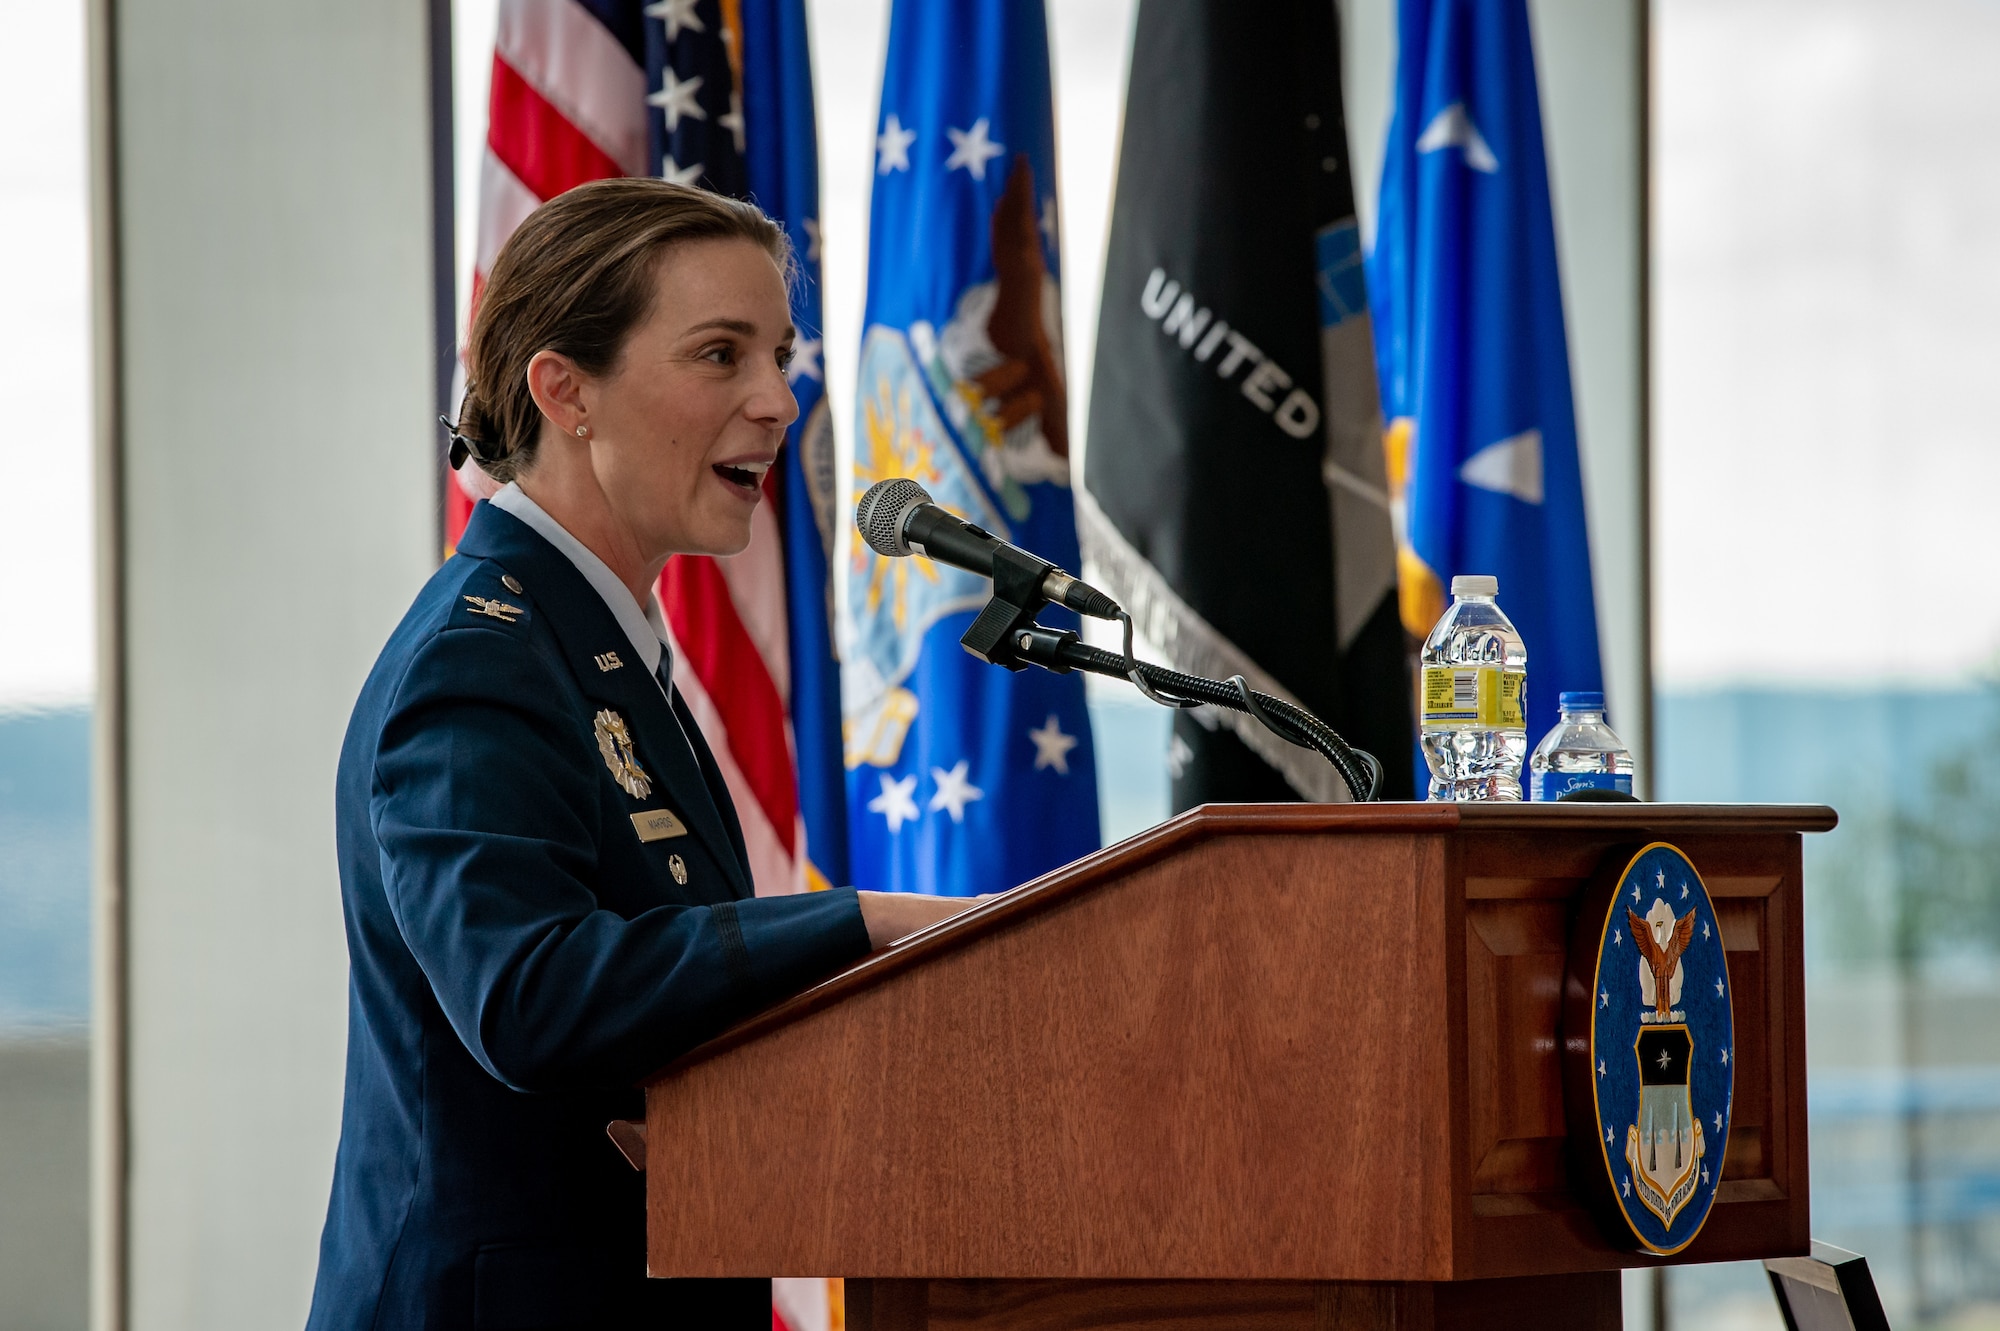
(1469, 335)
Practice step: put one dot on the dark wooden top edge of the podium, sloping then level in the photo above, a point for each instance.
(1223, 820)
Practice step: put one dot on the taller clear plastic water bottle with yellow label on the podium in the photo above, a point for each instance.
(1475, 726)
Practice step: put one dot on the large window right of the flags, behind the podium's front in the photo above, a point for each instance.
(1825, 449)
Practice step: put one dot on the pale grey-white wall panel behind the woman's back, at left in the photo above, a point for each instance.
(273, 199)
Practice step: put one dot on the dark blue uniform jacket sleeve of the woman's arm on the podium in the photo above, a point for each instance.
(487, 812)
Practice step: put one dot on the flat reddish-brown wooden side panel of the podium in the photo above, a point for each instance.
(1177, 1074)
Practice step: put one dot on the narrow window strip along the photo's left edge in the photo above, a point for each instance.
(47, 615)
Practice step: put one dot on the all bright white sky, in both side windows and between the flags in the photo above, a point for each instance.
(1825, 345)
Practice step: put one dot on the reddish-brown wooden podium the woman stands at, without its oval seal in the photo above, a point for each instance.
(1263, 1066)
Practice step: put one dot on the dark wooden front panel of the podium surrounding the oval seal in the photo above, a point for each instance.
(1519, 1220)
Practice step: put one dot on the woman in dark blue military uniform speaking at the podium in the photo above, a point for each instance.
(545, 882)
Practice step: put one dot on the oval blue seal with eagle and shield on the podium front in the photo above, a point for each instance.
(1649, 1038)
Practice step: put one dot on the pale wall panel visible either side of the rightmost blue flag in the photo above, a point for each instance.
(1589, 57)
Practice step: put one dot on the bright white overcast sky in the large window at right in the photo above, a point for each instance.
(1829, 341)
